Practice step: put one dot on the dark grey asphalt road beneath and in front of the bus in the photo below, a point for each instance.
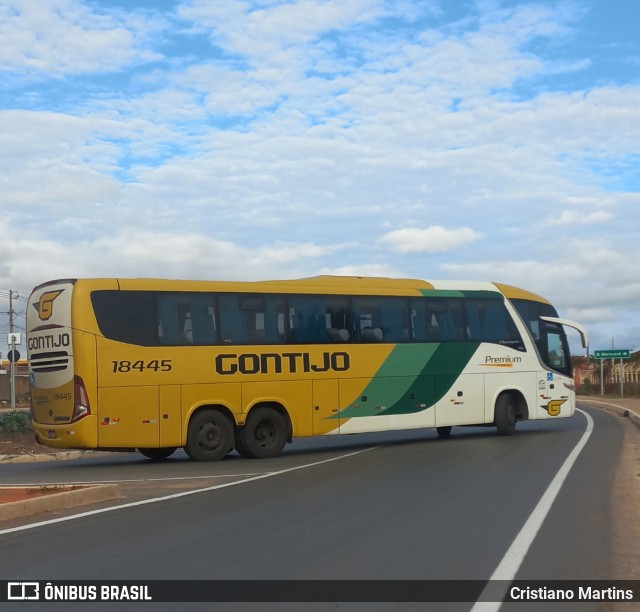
(395, 506)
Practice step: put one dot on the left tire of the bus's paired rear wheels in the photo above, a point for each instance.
(210, 436)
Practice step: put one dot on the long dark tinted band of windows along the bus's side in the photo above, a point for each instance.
(190, 318)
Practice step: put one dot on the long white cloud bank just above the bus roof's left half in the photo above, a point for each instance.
(36, 258)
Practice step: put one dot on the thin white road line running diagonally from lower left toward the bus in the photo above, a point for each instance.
(182, 494)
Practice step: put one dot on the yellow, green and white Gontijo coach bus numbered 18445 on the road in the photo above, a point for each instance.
(157, 365)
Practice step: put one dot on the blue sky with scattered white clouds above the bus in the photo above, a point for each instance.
(264, 139)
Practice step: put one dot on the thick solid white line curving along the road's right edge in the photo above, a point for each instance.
(513, 558)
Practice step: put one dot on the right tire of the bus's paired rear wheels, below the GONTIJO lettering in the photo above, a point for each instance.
(264, 434)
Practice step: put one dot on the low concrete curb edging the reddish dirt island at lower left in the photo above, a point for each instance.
(59, 501)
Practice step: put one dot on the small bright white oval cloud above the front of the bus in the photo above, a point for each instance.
(433, 239)
